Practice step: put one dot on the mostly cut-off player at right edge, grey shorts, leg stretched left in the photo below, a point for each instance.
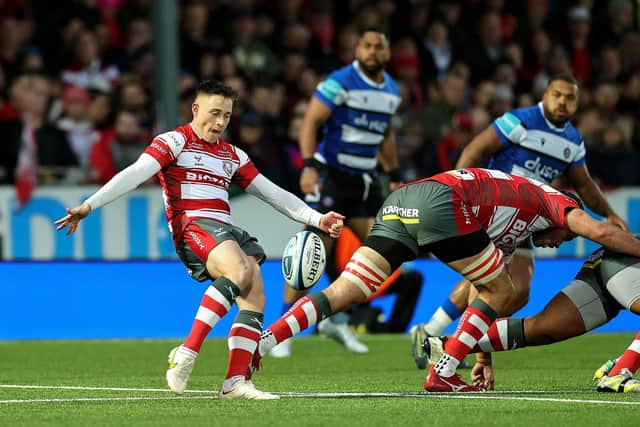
(607, 283)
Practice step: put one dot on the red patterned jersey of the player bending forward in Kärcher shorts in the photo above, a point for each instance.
(510, 208)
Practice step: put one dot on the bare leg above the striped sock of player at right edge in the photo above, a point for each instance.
(559, 320)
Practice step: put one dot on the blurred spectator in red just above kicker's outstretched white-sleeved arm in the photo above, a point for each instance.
(117, 148)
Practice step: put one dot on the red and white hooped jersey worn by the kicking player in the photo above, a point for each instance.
(196, 175)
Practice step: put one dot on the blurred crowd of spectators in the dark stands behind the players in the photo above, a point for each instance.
(77, 76)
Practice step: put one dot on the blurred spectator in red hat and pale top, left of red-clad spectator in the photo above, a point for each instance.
(75, 122)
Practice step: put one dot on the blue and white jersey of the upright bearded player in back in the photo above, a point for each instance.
(361, 112)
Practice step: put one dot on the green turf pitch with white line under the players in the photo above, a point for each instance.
(560, 373)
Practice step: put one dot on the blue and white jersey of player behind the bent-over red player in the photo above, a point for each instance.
(535, 148)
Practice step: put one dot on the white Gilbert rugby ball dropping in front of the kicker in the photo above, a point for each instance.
(303, 260)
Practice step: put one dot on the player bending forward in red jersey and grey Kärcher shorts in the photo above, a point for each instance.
(470, 219)
